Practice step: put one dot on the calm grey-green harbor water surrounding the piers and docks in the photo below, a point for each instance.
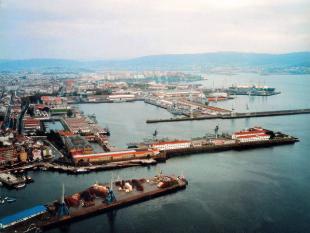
(262, 190)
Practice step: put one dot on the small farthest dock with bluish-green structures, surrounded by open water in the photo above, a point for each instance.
(253, 90)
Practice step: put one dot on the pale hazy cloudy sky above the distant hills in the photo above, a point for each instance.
(108, 29)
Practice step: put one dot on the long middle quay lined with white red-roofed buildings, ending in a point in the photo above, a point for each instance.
(251, 138)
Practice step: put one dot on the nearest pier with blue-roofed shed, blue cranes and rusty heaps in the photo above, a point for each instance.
(96, 199)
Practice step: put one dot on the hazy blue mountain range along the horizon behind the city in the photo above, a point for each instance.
(298, 62)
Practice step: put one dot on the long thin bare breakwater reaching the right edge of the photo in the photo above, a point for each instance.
(235, 115)
